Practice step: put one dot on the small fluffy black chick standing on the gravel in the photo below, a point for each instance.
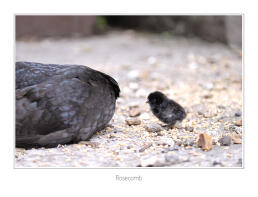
(165, 109)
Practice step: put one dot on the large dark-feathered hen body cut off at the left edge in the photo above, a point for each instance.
(60, 104)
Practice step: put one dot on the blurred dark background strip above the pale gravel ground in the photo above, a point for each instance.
(224, 29)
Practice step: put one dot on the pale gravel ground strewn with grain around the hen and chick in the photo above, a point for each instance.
(205, 78)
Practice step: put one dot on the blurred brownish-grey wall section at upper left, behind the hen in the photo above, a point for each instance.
(41, 26)
